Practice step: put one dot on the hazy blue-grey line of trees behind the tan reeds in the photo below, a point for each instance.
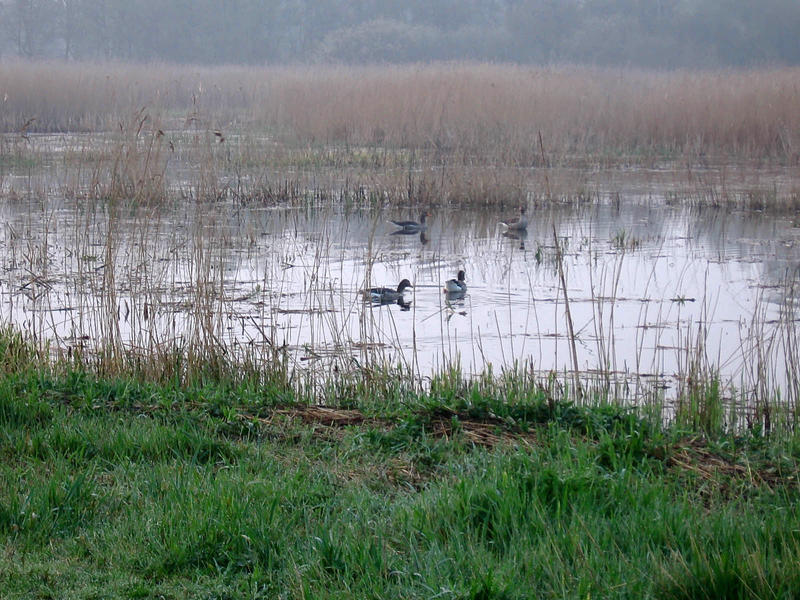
(643, 33)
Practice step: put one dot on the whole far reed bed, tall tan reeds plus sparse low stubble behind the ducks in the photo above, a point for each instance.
(429, 134)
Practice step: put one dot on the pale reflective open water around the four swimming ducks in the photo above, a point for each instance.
(652, 289)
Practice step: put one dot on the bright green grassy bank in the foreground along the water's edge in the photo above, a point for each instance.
(232, 485)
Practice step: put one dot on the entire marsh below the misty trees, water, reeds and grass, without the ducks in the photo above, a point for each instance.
(197, 400)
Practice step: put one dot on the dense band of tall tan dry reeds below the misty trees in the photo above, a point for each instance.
(472, 113)
